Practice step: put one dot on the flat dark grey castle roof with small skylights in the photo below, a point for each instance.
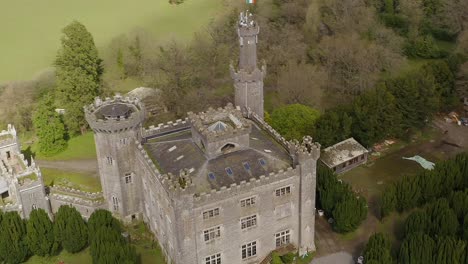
(176, 152)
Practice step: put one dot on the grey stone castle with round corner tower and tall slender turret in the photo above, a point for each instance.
(220, 186)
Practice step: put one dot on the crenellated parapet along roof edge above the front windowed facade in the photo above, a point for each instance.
(244, 186)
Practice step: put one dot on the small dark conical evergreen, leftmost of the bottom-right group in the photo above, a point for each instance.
(378, 249)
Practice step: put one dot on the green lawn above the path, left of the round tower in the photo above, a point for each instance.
(80, 147)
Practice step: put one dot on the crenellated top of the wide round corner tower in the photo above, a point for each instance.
(116, 114)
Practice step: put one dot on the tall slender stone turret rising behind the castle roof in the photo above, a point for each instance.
(248, 80)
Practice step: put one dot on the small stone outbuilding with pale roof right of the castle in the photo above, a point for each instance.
(344, 156)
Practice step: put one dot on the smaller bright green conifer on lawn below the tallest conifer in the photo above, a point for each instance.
(49, 127)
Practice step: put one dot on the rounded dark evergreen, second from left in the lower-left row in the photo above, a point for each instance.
(40, 234)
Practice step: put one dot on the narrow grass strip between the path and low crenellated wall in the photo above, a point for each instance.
(84, 182)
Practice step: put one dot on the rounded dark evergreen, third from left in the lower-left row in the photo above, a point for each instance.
(70, 229)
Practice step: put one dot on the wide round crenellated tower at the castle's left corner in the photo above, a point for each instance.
(117, 126)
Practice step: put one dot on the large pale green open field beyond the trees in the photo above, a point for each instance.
(31, 30)
